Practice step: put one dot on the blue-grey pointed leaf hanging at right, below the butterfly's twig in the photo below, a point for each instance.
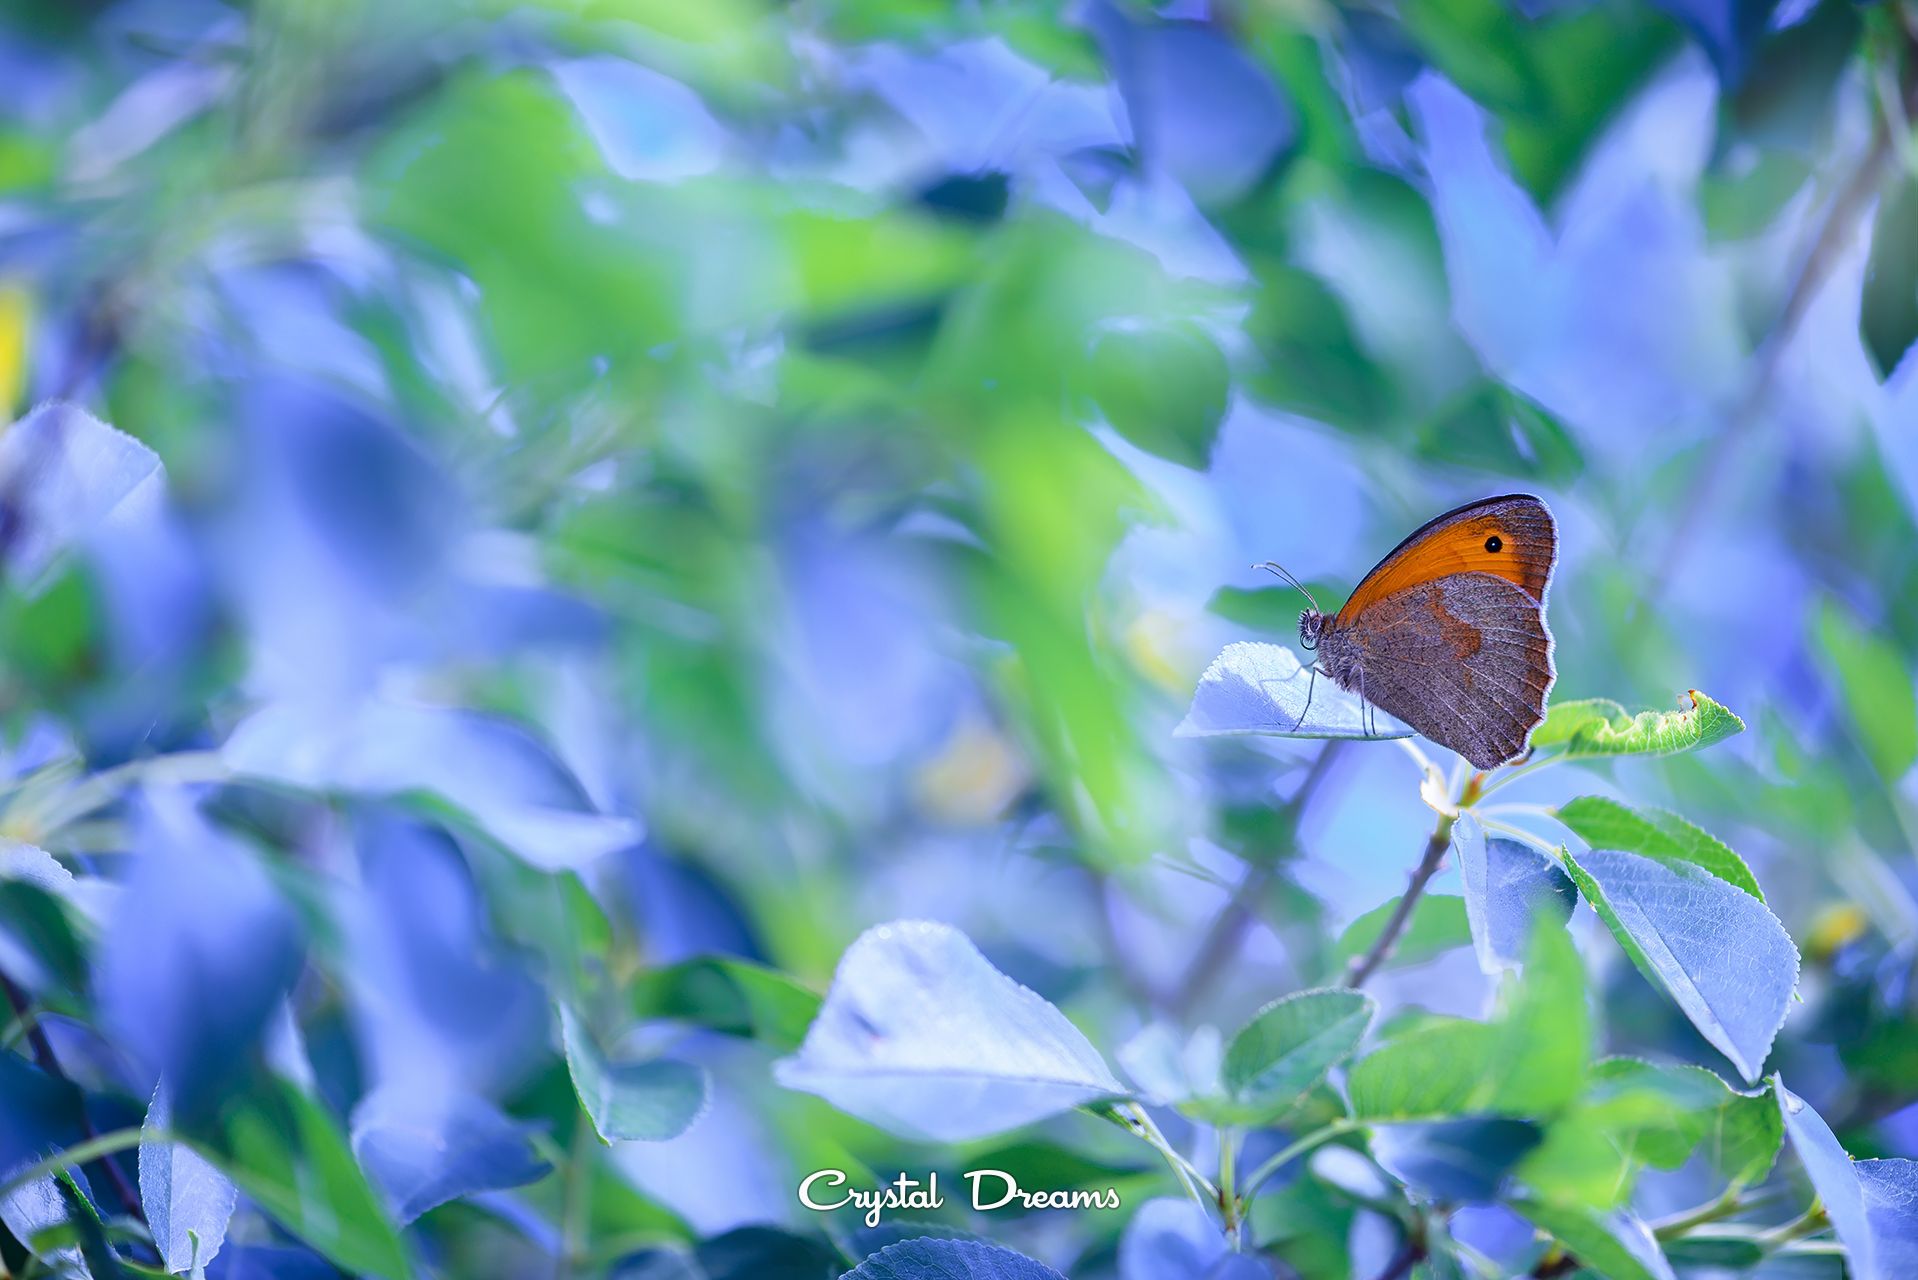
(1716, 949)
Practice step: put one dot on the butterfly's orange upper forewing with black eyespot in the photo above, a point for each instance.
(1510, 538)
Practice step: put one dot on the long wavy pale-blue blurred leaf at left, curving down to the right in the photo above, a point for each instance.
(488, 769)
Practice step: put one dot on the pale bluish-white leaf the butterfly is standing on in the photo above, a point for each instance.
(1255, 688)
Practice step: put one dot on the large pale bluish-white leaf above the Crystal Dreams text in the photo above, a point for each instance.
(924, 1037)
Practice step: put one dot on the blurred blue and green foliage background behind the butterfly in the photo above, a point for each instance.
(653, 479)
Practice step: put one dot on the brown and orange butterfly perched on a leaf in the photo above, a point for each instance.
(1449, 632)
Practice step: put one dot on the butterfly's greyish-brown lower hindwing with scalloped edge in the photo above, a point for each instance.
(1464, 659)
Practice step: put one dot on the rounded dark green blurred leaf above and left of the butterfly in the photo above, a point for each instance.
(1163, 389)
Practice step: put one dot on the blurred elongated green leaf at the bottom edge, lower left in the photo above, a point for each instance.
(285, 1150)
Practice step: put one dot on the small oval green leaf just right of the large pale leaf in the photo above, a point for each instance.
(1288, 1049)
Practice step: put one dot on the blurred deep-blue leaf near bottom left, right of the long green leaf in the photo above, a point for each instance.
(423, 1156)
